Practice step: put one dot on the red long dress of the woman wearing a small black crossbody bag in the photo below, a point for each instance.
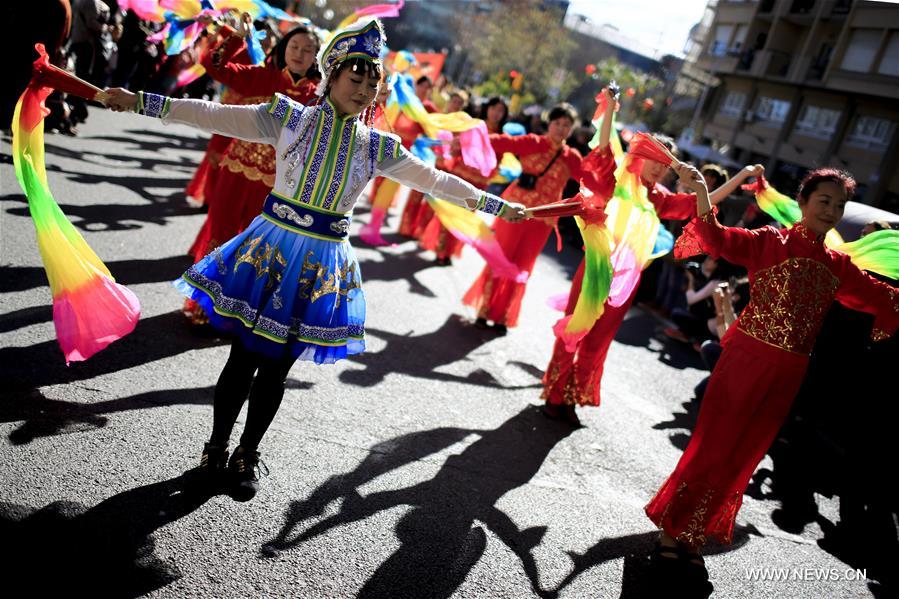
(499, 299)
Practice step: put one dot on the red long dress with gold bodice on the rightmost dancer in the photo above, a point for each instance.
(793, 281)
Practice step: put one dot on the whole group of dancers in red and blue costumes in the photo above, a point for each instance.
(300, 138)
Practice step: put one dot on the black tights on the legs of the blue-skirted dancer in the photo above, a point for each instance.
(236, 382)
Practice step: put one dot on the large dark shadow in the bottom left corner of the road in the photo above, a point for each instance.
(67, 550)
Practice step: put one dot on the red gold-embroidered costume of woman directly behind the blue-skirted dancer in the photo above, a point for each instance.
(247, 171)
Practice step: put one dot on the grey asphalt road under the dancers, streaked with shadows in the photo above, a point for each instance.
(422, 468)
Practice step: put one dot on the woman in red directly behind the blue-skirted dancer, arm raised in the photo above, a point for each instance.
(247, 170)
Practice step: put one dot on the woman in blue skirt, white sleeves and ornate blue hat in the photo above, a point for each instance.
(289, 286)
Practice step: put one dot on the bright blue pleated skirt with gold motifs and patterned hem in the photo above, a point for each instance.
(283, 292)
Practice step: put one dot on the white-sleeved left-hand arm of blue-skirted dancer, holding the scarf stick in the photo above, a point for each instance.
(251, 123)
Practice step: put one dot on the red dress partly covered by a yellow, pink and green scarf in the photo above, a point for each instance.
(575, 378)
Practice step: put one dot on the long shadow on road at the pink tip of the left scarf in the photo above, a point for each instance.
(25, 369)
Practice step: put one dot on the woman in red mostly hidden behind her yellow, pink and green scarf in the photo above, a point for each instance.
(573, 379)
